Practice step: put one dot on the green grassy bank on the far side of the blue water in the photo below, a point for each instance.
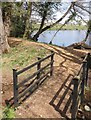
(66, 27)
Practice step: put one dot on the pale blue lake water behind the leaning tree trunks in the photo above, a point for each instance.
(63, 37)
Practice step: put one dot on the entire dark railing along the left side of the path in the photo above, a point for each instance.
(36, 75)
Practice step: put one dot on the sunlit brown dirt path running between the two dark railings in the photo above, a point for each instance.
(53, 98)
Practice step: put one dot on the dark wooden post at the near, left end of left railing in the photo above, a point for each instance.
(15, 88)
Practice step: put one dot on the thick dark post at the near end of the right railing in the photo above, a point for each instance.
(74, 107)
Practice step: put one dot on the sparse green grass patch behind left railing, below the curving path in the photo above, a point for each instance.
(22, 56)
